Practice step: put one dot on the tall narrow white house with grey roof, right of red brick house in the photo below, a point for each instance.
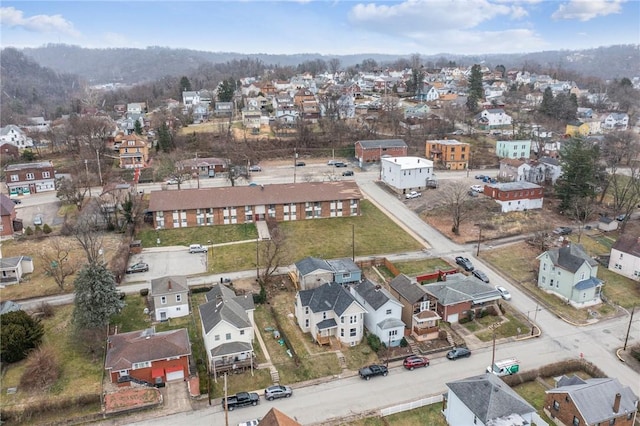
(227, 327)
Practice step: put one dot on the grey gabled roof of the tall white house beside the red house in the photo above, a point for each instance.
(223, 305)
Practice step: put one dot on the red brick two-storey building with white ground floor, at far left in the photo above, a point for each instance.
(30, 178)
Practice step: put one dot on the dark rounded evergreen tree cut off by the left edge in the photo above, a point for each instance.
(19, 333)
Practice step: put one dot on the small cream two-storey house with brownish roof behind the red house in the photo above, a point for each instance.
(170, 297)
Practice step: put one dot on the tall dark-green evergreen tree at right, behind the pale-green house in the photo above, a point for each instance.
(581, 173)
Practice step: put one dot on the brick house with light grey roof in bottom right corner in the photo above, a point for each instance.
(582, 402)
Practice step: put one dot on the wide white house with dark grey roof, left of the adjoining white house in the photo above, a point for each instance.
(330, 312)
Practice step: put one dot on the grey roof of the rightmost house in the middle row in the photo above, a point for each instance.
(462, 288)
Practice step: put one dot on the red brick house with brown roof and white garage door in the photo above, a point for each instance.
(147, 356)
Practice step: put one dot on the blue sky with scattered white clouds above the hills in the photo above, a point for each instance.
(328, 27)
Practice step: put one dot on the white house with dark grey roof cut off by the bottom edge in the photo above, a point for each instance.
(486, 400)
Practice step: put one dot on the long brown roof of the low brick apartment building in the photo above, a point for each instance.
(190, 199)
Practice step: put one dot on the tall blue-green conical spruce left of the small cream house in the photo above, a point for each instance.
(96, 298)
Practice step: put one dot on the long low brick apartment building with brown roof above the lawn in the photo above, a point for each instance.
(249, 204)
